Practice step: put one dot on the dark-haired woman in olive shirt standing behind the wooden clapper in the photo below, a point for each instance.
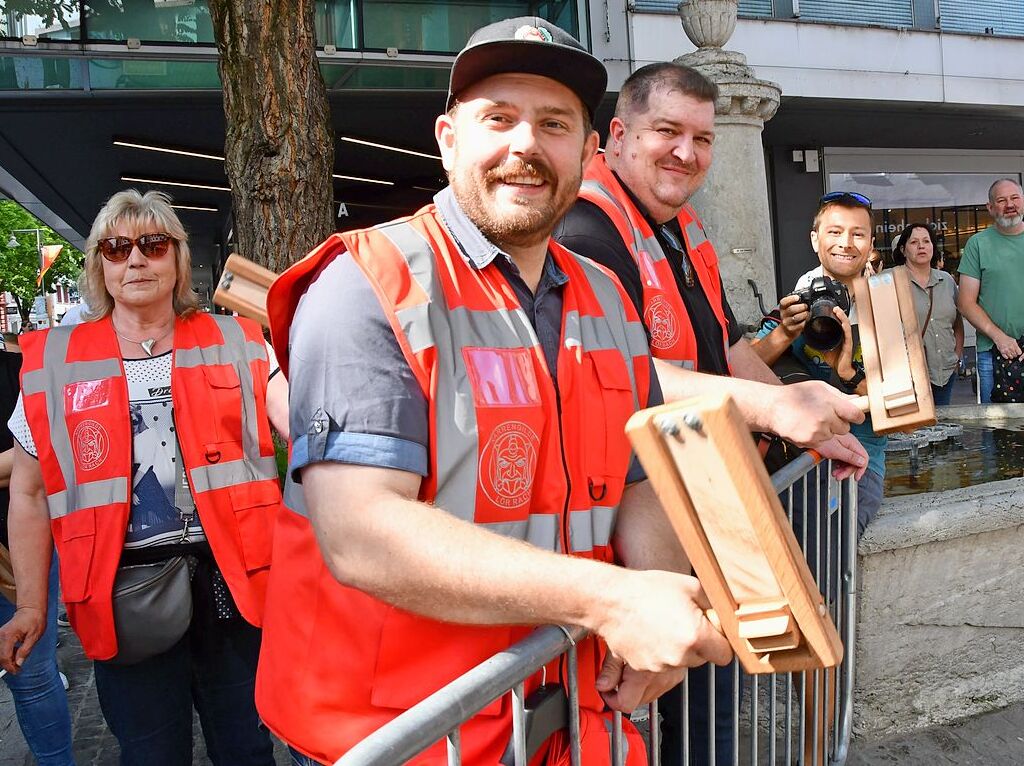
(935, 303)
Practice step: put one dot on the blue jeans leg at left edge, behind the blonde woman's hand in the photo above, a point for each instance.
(40, 701)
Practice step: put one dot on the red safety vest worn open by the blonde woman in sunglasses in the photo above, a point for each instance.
(76, 403)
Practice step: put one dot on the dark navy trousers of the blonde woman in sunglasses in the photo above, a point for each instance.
(149, 706)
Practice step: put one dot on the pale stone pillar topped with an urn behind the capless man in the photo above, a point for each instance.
(734, 201)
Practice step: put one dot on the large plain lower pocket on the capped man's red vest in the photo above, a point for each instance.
(417, 657)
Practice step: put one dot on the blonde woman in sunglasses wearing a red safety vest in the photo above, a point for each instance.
(144, 449)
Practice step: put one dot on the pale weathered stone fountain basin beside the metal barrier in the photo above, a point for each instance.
(941, 608)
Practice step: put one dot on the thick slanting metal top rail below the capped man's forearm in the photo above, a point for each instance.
(419, 728)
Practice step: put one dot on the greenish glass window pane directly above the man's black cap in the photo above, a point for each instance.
(445, 28)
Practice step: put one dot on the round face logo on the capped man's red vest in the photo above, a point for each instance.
(508, 464)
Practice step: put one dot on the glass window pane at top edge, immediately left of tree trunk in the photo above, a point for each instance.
(185, 22)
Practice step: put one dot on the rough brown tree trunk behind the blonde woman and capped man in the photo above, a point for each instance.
(280, 145)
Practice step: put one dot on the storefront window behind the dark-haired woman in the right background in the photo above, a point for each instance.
(953, 203)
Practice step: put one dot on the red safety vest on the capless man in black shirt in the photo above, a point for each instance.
(669, 326)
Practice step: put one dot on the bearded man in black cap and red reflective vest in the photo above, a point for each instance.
(443, 460)
